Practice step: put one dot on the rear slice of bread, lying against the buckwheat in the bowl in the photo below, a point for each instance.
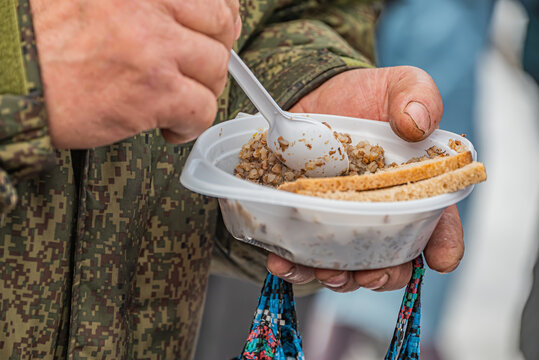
(390, 177)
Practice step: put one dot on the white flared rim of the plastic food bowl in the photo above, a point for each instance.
(203, 176)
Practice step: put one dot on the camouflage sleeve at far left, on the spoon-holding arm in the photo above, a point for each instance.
(25, 146)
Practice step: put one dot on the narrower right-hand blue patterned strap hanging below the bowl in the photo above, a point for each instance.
(405, 342)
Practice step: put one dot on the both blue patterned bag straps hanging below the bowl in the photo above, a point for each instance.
(274, 334)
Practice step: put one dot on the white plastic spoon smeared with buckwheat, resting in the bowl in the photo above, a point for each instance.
(299, 142)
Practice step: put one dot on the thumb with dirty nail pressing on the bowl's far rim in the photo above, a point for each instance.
(405, 96)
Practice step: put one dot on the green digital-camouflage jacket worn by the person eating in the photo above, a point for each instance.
(103, 254)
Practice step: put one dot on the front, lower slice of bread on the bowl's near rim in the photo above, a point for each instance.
(454, 180)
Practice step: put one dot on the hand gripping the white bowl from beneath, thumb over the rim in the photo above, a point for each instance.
(408, 98)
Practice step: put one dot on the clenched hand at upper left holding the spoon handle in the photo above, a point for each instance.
(112, 69)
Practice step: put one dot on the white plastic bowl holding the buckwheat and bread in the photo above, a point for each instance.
(312, 231)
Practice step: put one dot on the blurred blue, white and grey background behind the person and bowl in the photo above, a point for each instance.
(474, 50)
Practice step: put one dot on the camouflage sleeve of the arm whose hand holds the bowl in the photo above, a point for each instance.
(298, 49)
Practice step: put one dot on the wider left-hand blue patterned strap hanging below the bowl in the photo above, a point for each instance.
(274, 334)
